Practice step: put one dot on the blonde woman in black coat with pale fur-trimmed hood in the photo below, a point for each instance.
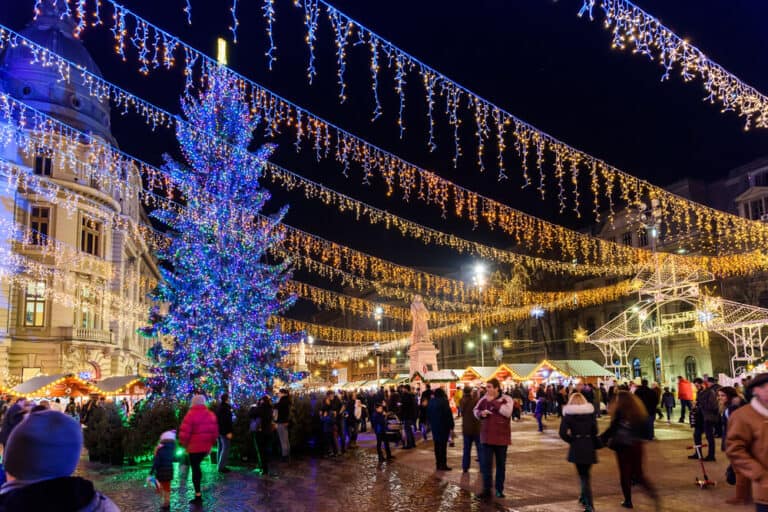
(578, 428)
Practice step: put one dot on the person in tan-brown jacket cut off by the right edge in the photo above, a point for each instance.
(747, 441)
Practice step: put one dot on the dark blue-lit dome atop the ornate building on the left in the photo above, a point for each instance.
(41, 88)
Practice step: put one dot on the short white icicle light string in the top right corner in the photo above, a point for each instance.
(635, 29)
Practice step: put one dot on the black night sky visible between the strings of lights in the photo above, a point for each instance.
(535, 58)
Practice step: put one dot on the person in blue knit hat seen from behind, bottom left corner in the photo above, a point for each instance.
(41, 454)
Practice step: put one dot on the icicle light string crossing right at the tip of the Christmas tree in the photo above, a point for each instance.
(330, 141)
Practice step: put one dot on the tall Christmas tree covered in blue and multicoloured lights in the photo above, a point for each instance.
(220, 288)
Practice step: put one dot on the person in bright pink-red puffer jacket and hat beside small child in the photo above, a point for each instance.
(198, 433)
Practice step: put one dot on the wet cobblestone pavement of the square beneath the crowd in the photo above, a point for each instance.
(538, 479)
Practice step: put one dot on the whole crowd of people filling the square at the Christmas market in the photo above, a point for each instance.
(42, 442)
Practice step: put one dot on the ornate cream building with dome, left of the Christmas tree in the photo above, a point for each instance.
(67, 280)
